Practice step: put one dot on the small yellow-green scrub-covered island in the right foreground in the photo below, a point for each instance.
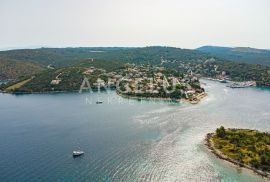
(243, 147)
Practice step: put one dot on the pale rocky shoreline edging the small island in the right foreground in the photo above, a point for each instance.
(210, 145)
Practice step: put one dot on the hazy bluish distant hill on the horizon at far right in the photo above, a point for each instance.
(243, 54)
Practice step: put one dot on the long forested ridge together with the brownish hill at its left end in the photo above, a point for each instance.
(22, 62)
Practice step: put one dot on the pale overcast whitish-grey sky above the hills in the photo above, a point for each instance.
(134, 23)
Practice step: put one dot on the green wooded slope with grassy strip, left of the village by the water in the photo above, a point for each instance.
(70, 77)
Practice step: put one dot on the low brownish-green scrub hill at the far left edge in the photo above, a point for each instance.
(12, 69)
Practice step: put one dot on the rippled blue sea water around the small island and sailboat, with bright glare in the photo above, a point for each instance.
(123, 140)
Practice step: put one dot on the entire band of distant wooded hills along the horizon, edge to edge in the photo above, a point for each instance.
(59, 57)
